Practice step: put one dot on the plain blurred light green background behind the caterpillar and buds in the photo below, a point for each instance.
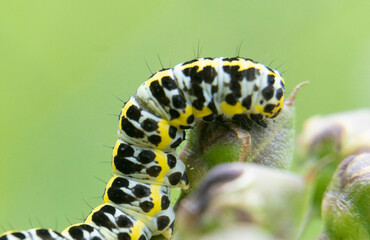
(63, 63)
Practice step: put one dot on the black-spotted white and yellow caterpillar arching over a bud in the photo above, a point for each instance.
(152, 125)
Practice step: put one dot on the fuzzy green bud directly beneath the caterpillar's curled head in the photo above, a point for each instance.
(226, 141)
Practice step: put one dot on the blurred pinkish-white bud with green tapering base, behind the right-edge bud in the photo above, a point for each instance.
(326, 140)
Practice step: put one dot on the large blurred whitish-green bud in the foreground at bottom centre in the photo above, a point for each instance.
(249, 195)
